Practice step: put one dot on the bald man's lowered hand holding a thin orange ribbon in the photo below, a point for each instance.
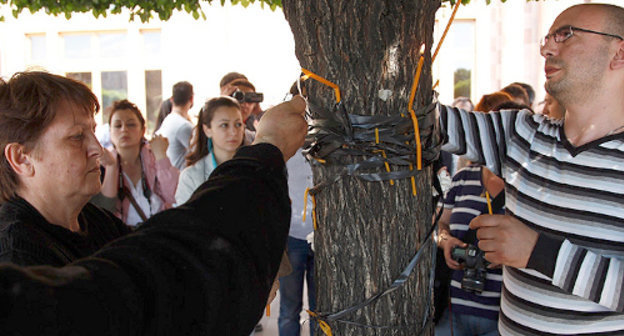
(504, 239)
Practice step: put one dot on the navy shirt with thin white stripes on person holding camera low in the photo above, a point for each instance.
(466, 199)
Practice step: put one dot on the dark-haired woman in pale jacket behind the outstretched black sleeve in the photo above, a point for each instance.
(219, 133)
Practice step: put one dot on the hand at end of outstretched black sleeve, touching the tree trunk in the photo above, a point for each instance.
(284, 127)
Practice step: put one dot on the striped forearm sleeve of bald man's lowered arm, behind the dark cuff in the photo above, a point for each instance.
(590, 275)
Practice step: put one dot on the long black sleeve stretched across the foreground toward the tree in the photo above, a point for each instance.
(204, 268)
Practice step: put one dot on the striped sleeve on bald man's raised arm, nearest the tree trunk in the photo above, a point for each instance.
(479, 137)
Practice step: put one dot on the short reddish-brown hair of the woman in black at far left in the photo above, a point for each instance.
(29, 102)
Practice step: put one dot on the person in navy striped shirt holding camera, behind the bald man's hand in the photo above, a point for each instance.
(474, 288)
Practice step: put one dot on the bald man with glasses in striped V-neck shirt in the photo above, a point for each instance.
(562, 239)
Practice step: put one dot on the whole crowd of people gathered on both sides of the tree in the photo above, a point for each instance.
(185, 233)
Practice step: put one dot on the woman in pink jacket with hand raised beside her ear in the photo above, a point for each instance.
(139, 180)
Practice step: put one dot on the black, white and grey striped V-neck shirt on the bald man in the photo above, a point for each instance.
(574, 198)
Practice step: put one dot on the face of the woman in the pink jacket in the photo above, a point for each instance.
(126, 129)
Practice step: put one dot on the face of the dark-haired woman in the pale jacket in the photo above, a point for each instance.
(226, 129)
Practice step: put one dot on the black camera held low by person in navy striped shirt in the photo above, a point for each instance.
(475, 267)
